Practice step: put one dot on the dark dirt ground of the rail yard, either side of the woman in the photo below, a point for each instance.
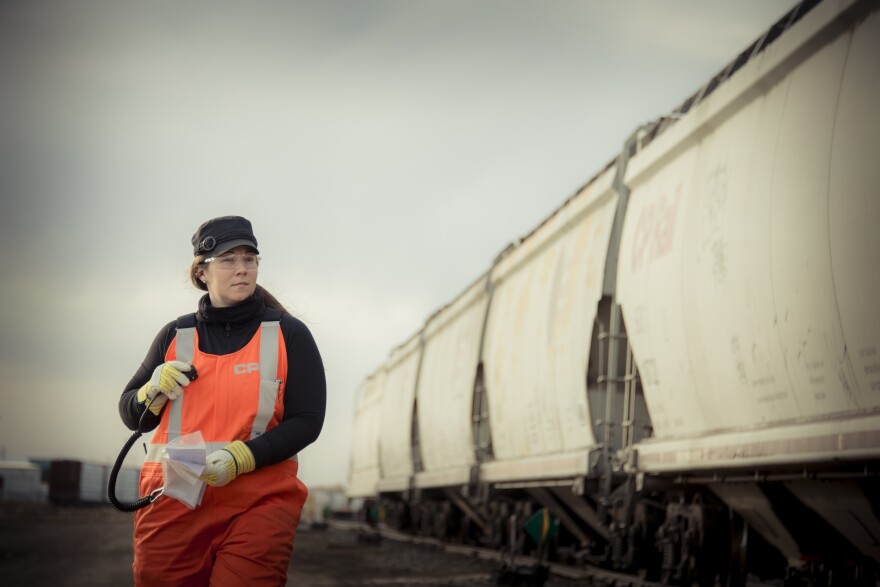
(45, 545)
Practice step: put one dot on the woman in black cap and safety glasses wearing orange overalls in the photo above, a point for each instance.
(258, 398)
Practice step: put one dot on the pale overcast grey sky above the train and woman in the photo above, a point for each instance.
(385, 152)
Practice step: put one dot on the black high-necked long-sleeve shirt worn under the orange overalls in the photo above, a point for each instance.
(226, 330)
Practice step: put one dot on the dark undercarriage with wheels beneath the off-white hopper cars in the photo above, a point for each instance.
(805, 527)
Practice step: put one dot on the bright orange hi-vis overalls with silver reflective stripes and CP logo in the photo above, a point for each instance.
(241, 534)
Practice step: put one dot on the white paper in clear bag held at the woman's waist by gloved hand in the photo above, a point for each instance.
(183, 460)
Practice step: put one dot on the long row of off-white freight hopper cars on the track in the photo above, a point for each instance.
(681, 363)
